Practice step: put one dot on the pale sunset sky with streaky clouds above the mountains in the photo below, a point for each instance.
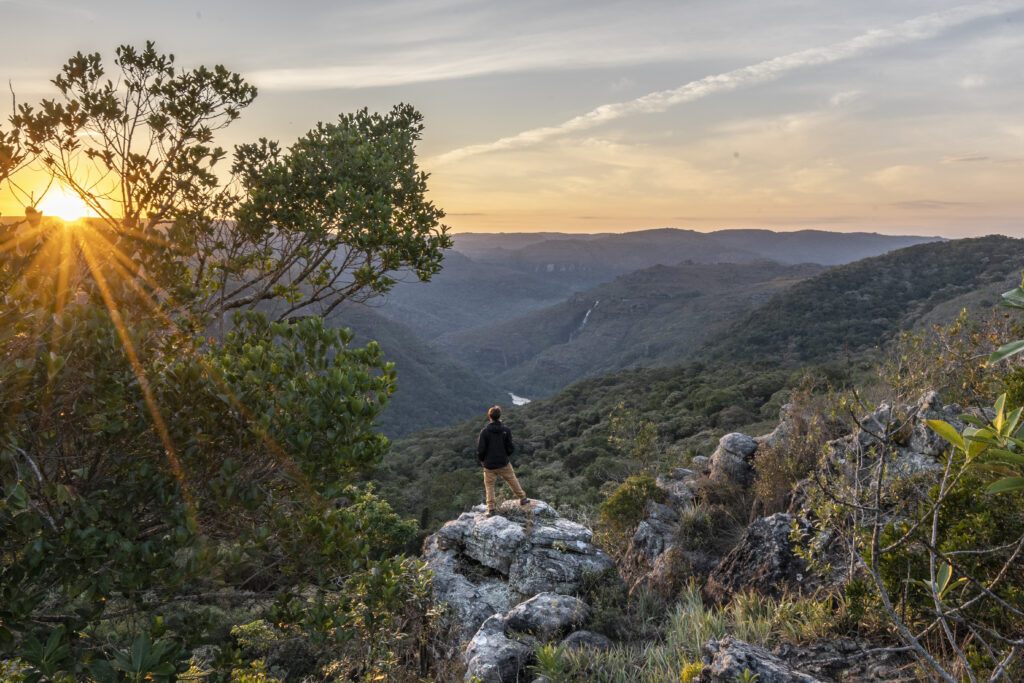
(590, 116)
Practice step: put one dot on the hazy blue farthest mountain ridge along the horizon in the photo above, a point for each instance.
(488, 278)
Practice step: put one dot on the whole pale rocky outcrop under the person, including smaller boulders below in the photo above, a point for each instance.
(508, 582)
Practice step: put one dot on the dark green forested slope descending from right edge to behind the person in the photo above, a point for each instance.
(742, 381)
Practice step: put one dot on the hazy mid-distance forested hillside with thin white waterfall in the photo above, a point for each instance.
(655, 317)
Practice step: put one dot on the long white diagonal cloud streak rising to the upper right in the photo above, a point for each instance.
(918, 29)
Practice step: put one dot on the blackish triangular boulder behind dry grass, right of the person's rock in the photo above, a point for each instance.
(764, 561)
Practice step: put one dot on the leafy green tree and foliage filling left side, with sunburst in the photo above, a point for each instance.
(151, 469)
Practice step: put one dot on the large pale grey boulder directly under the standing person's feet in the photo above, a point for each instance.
(486, 566)
